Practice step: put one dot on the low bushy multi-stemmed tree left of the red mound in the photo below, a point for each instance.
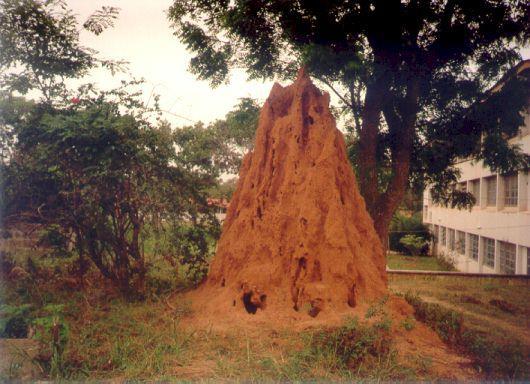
(102, 176)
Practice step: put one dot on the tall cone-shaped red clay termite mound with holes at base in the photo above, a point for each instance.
(297, 234)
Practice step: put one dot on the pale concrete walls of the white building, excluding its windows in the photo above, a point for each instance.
(502, 223)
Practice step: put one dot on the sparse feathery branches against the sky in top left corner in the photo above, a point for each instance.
(40, 48)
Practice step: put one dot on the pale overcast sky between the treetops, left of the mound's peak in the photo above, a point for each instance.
(142, 36)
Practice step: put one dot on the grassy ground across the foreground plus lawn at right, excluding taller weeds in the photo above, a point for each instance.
(108, 337)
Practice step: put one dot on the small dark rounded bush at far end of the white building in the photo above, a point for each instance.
(403, 226)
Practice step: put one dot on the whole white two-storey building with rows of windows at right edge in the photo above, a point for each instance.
(494, 236)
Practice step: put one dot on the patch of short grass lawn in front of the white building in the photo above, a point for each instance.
(493, 310)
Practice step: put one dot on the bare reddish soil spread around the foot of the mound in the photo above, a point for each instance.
(414, 347)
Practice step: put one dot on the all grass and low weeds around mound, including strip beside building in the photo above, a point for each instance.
(94, 334)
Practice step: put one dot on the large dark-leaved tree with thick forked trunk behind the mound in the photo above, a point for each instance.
(412, 74)
